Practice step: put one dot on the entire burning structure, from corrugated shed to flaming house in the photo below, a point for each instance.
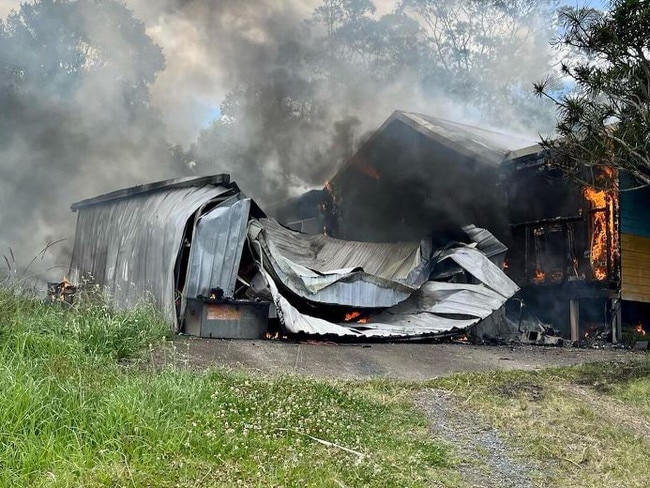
(388, 252)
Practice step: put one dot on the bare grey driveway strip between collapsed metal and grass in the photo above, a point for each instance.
(406, 361)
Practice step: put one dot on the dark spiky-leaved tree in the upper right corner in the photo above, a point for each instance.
(604, 121)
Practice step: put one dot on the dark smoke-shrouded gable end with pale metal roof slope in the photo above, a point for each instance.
(419, 176)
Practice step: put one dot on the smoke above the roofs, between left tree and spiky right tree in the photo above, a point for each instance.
(295, 77)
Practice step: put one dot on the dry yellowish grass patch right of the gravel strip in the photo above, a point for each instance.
(583, 426)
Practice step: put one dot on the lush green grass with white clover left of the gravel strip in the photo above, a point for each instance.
(77, 408)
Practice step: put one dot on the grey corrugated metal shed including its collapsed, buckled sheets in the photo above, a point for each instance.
(213, 263)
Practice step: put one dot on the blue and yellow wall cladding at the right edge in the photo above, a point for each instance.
(635, 241)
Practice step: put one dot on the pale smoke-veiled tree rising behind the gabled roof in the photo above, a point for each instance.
(487, 52)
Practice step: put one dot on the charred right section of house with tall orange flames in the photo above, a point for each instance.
(565, 251)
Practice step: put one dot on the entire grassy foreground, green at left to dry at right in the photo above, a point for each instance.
(81, 406)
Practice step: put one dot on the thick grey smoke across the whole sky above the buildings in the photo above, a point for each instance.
(75, 131)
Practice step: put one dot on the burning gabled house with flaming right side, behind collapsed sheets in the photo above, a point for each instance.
(580, 253)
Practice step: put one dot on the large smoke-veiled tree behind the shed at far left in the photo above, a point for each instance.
(75, 118)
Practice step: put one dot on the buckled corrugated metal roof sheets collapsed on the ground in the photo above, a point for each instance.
(390, 281)
